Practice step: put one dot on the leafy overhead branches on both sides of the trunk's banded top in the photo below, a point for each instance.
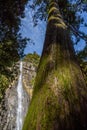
(72, 12)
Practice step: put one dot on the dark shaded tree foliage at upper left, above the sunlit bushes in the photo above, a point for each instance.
(11, 42)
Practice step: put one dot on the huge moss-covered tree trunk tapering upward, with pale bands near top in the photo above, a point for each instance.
(60, 95)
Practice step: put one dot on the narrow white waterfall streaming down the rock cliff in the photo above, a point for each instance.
(20, 96)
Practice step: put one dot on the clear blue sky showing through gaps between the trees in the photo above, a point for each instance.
(37, 33)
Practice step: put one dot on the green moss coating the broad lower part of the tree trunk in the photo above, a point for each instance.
(55, 93)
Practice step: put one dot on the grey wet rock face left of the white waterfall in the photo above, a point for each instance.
(8, 113)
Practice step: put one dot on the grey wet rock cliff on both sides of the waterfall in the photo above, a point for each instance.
(8, 107)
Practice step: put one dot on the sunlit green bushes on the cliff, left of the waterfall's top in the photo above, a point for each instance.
(6, 78)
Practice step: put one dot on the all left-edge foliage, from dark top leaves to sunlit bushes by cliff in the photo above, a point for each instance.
(11, 42)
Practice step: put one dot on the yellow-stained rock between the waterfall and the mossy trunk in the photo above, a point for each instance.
(29, 74)
